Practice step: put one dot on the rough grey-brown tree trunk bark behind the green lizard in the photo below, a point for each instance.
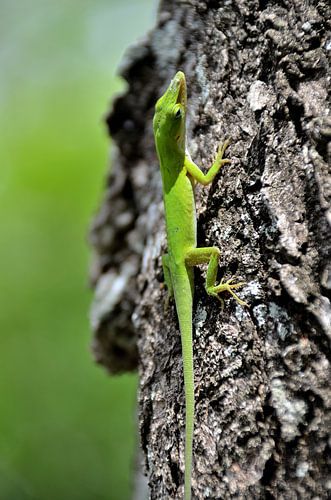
(257, 72)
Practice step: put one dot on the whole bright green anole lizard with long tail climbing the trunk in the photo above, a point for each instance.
(179, 174)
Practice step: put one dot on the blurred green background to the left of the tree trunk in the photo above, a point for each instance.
(66, 428)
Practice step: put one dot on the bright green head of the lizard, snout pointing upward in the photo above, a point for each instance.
(170, 112)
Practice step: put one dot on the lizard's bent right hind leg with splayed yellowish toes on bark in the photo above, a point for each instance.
(210, 256)
